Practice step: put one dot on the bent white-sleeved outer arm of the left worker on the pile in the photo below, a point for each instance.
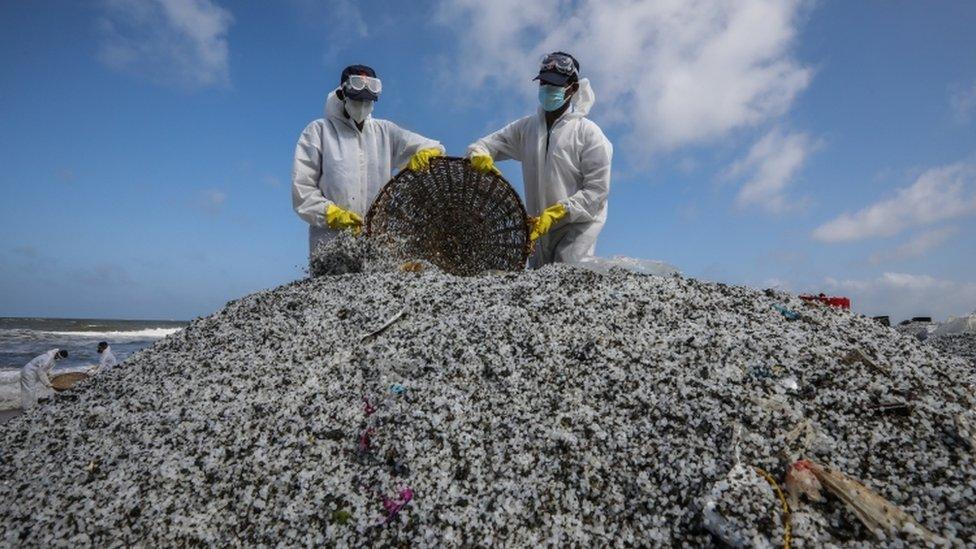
(306, 197)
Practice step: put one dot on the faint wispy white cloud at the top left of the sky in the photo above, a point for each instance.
(176, 42)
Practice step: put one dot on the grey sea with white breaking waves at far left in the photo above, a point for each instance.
(22, 339)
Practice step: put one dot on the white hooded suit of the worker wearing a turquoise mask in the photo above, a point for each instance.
(569, 164)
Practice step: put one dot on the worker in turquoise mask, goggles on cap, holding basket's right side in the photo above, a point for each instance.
(565, 164)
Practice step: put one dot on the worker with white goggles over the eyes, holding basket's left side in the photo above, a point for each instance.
(343, 160)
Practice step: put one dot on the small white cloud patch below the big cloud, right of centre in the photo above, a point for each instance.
(770, 167)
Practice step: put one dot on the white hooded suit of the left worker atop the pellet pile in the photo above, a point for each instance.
(337, 163)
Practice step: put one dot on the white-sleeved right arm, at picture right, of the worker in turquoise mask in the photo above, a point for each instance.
(585, 205)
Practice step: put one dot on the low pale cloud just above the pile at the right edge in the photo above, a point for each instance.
(902, 295)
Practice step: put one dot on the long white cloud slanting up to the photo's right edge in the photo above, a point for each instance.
(938, 194)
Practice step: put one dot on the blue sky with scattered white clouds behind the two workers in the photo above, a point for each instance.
(811, 146)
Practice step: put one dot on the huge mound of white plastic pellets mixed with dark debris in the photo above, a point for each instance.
(557, 406)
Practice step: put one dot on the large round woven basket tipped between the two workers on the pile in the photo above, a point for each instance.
(462, 220)
